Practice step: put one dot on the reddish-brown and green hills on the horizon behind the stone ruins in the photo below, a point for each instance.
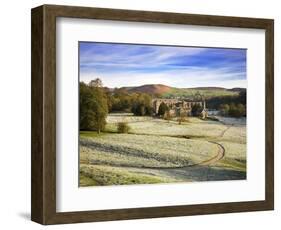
(171, 92)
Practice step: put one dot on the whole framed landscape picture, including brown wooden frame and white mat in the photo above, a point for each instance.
(174, 109)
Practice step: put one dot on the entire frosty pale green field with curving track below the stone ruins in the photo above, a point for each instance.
(158, 151)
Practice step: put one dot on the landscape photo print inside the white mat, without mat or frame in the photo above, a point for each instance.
(161, 114)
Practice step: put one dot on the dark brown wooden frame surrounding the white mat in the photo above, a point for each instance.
(43, 208)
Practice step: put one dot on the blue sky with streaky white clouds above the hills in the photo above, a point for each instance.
(120, 65)
